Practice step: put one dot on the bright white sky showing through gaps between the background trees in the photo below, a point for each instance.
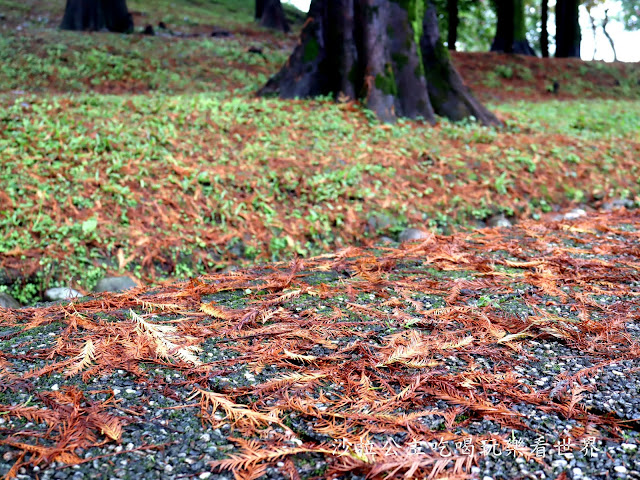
(627, 43)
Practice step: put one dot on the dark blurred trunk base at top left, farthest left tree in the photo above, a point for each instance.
(97, 15)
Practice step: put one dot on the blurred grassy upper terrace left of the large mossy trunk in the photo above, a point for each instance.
(69, 62)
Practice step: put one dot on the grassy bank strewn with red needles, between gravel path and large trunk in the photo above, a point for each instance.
(171, 186)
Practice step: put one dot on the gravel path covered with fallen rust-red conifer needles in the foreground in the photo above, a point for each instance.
(500, 353)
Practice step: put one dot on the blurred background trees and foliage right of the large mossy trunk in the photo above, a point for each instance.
(541, 27)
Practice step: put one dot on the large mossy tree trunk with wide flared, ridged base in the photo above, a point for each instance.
(367, 49)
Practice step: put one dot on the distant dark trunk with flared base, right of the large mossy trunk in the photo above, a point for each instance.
(510, 34)
